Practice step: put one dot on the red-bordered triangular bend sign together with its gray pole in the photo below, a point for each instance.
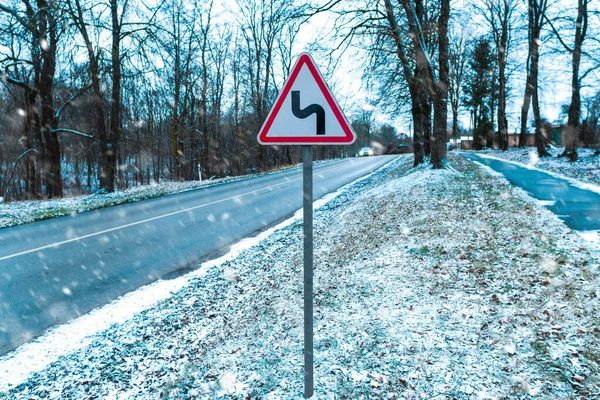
(306, 113)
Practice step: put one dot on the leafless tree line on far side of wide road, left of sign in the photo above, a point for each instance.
(103, 95)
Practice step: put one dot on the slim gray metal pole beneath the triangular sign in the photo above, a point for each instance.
(308, 272)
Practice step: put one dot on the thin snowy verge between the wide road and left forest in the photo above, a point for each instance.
(22, 212)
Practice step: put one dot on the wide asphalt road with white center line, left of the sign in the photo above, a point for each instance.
(55, 270)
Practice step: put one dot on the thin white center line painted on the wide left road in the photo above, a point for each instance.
(78, 238)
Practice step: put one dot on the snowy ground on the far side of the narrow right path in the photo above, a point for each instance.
(586, 168)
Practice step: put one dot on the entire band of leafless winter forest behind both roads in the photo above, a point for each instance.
(100, 95)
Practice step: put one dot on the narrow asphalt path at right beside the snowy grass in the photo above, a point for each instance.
(579, 208)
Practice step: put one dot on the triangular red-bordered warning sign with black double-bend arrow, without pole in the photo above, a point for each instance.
(305, 111)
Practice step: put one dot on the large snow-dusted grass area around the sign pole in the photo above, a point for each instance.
(429, 284)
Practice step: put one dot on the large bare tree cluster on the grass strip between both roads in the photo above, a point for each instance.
(415, 35)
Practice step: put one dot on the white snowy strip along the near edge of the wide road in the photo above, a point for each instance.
(18, 366)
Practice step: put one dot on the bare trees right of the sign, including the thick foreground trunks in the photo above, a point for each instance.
(431, 58)
